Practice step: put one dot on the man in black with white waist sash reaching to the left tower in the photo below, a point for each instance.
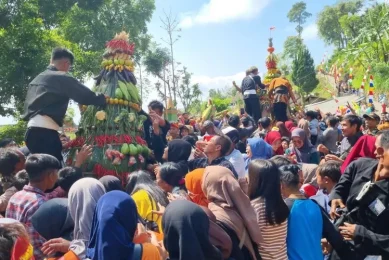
(47, 101)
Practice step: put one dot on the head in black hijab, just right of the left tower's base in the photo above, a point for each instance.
(177, 150)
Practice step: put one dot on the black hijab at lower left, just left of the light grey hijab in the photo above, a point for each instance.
(53, 220)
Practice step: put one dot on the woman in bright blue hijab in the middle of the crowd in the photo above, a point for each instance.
(257, 148)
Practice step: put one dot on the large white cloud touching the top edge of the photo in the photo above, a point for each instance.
(219, 11)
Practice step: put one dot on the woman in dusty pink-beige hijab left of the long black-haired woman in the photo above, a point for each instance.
(233, 211)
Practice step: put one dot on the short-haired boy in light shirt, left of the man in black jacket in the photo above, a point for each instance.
(327, 176)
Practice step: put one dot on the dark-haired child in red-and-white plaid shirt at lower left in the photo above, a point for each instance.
(42, 172)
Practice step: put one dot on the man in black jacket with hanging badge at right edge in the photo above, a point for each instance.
(366, 218)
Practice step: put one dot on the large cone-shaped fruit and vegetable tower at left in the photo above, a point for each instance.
(115, 131)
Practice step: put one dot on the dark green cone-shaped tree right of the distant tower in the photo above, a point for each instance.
(303, 71)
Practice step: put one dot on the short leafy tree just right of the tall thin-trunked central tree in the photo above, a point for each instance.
(187, 92)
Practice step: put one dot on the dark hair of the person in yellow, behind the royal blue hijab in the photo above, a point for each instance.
(141, 180)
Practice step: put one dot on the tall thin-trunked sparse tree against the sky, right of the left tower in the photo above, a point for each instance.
(170, 24)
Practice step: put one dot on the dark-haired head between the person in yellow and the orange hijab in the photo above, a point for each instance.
(169, 176)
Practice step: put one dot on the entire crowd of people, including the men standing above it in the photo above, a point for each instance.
(311, 186)
